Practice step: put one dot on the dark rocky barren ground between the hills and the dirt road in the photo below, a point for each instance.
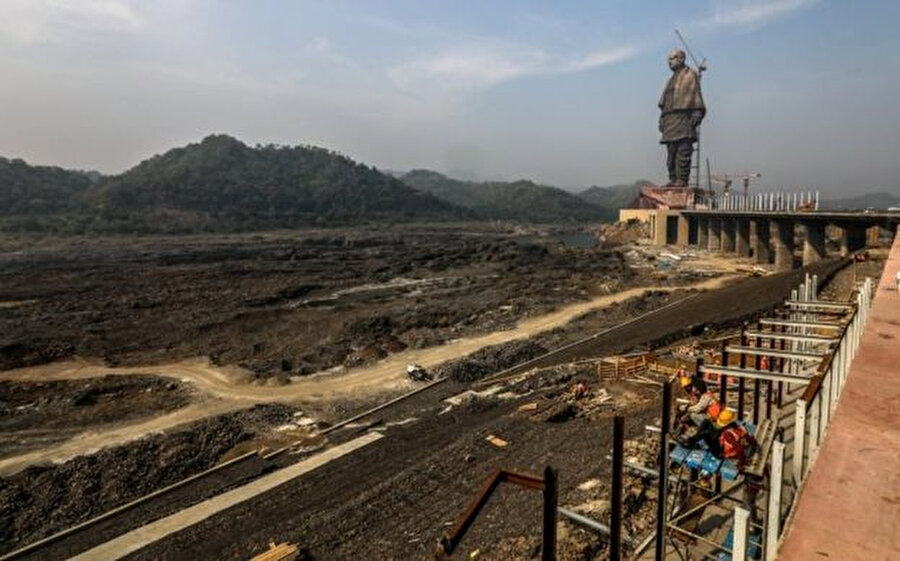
(283, 303)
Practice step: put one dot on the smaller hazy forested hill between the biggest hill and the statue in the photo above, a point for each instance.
(516, 200)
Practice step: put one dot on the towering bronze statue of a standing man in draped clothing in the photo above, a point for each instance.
(682, 109)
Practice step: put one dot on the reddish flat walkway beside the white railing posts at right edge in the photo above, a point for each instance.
(850, 508)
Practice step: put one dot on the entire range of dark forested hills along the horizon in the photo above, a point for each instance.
(222, 185)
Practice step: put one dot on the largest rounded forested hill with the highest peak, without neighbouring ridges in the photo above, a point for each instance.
(221, 184)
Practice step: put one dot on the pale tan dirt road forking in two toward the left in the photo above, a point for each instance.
(226, 390)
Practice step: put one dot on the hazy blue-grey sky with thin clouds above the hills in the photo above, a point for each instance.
(803, 91)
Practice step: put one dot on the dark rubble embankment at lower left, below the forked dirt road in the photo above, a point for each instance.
(42, 500)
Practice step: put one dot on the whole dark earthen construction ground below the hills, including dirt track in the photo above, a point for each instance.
(173, 447)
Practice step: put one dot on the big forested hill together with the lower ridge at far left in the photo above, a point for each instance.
(216, 185)
